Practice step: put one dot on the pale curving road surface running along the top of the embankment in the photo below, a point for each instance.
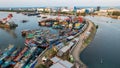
(76, 50)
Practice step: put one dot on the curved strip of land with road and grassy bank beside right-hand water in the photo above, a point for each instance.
(83, 43)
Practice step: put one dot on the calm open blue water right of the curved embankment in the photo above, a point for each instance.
(105, 46)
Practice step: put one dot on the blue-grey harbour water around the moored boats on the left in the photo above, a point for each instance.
(13, 36)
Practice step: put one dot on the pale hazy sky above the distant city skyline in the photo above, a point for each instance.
(38, 3)
